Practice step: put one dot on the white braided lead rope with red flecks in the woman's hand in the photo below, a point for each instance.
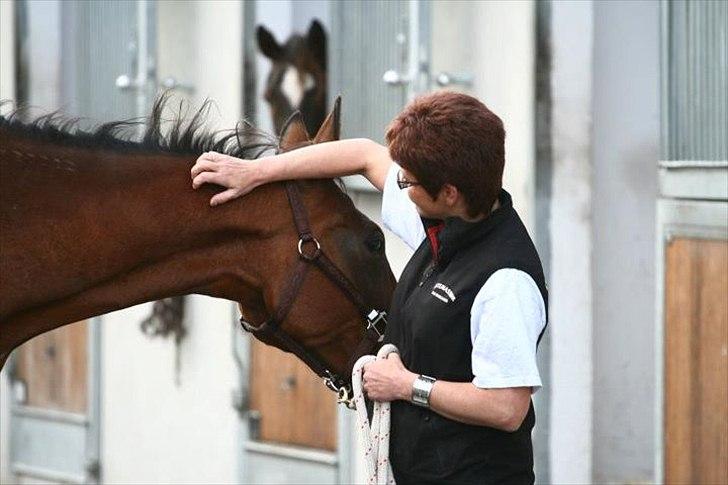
(374, 437)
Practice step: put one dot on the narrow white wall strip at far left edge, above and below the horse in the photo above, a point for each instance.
(7, 92)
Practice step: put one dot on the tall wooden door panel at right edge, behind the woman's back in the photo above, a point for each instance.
(696, 361)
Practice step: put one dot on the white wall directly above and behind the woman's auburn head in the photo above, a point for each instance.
(494, 41)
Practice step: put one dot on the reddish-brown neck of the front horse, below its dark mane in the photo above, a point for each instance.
(89, 231)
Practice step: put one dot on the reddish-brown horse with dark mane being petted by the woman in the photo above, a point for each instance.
(92, 223)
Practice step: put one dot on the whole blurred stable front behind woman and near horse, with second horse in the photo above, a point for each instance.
(617, 159)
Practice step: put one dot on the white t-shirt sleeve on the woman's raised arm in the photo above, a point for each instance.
(399, 213)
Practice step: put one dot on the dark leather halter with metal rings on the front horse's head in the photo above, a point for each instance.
(310, 253)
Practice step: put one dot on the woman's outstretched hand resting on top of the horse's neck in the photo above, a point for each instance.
(238, 176)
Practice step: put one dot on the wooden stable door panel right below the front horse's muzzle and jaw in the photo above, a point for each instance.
(290, 404)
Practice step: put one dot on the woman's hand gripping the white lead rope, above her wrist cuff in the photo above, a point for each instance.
(388, 379)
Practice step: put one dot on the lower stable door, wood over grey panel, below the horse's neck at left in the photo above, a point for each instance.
(54, 407)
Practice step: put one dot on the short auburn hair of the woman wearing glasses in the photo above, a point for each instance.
(451, 138)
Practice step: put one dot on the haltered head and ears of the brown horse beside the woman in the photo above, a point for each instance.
(308, 307)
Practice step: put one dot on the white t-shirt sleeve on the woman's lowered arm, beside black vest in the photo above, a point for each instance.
(506, 318)
